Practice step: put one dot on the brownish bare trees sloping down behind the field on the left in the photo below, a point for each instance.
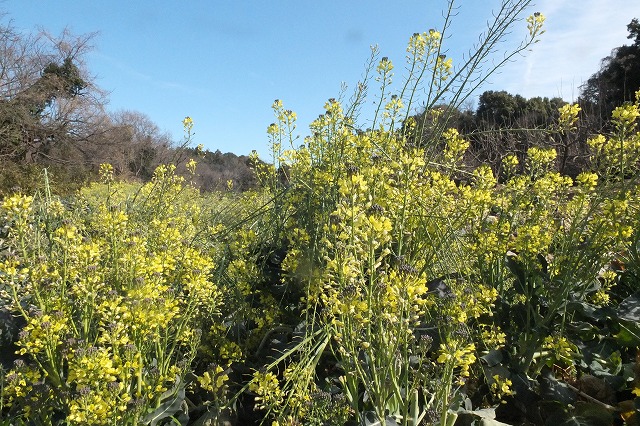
(54, 116)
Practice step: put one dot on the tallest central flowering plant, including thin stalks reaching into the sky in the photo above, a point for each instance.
(373, 226)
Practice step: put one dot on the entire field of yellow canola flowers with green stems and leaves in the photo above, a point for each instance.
(374, 279)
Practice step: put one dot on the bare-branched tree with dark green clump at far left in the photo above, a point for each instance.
(49, 104)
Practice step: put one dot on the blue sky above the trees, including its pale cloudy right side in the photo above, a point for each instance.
(224, 62)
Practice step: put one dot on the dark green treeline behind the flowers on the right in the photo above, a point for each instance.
(504, 123)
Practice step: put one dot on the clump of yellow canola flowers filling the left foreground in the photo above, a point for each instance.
(111, 303)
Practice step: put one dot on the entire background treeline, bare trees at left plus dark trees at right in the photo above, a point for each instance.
(52, 115)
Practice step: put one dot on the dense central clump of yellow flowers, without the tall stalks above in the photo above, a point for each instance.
(372, 285)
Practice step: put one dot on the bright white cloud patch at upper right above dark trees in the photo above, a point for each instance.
(578, 35)
